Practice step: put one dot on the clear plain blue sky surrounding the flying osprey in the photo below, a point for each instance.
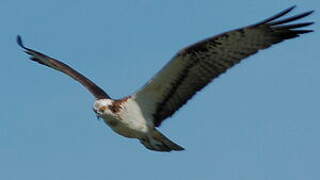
(259, 121)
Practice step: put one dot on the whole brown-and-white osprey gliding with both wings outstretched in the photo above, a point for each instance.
(191, 69)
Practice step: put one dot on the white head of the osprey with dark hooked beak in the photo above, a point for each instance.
(102, 107)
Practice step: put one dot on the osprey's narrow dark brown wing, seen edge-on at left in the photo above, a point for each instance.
(57, 65)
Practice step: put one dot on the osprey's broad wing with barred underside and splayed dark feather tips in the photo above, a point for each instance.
(194, 67)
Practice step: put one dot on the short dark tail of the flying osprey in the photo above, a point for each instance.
(156, 141)
